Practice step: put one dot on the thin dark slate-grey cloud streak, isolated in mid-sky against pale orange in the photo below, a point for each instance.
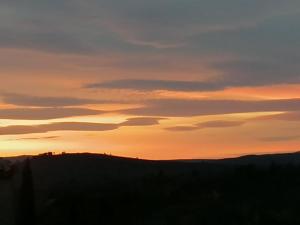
(152, 85)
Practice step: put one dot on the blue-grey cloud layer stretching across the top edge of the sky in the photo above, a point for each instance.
(58, 25)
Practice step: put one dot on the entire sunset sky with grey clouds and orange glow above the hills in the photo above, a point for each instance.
(160, 79)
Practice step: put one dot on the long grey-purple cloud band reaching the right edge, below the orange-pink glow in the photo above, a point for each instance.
(185, 108)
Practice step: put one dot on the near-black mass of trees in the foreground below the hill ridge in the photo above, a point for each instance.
(241, 195)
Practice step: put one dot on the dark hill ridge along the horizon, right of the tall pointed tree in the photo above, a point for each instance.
(95, 170)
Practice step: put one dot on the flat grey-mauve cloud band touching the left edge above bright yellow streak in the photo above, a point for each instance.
(45, 113)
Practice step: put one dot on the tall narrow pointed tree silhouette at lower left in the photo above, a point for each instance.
(26, 206)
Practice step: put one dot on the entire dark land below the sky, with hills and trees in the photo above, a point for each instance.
(88, 189)
